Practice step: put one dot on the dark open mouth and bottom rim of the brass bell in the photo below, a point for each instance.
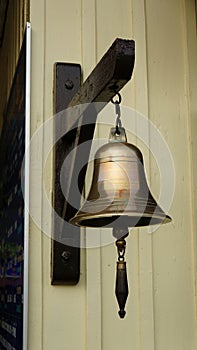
(112, 221)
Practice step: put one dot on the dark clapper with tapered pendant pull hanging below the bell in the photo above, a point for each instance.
(121, 290)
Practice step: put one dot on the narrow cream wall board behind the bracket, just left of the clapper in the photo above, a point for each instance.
(93, 257)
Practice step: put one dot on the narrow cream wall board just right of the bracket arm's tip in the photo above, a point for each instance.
(140, 26)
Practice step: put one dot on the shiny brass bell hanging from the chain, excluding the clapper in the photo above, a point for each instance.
(119, 195)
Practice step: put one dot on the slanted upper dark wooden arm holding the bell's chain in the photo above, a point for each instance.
(109, 76)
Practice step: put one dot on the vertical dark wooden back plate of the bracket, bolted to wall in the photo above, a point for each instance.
(65, 259)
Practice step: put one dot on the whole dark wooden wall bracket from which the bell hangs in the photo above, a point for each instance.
(108, 77)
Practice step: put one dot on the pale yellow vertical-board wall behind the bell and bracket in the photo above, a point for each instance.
(161, 309)
